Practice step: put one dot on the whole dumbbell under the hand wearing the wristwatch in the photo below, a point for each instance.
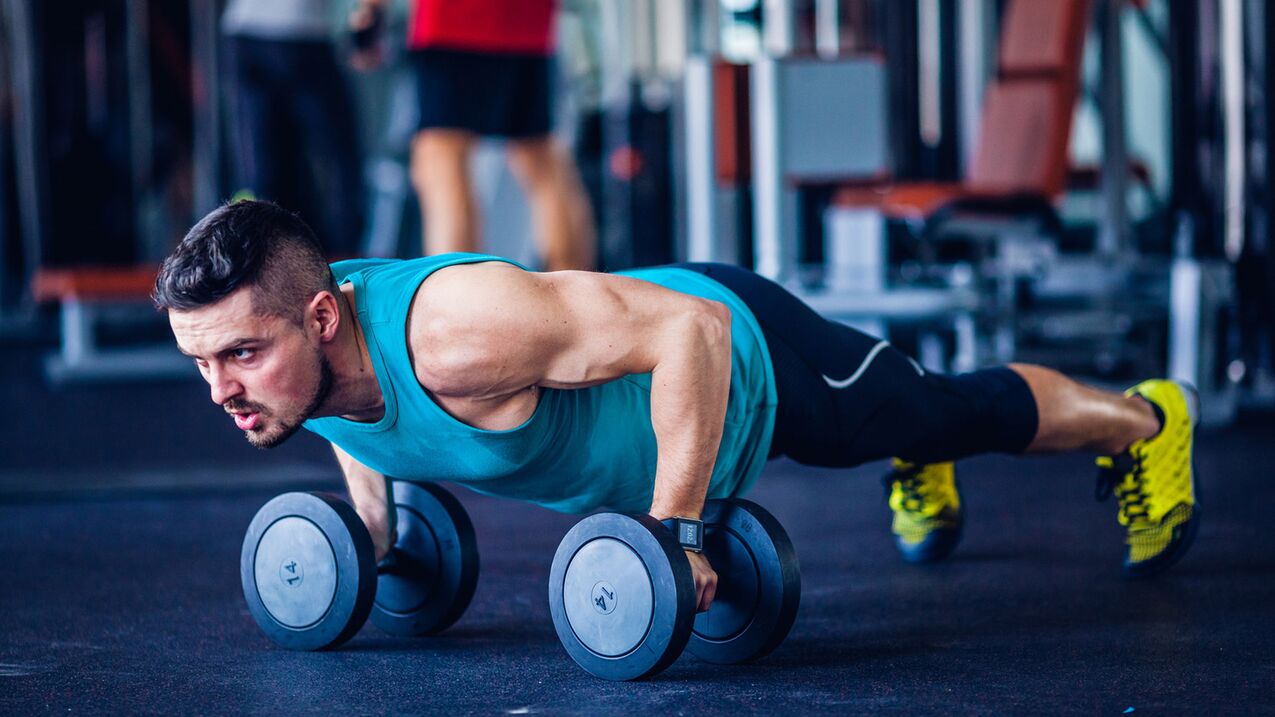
(623, 595)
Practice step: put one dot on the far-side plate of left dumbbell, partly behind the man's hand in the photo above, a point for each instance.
(434, 586)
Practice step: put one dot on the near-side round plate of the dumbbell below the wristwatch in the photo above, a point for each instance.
(622, 596)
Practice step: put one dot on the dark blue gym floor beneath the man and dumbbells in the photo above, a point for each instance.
(123, 511)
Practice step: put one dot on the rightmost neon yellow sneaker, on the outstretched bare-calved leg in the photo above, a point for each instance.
(1155, 482)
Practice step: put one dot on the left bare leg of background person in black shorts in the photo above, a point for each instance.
(441, 174)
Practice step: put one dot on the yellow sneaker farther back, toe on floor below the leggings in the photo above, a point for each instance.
(926, 505)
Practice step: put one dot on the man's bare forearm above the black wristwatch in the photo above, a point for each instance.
(689, 396)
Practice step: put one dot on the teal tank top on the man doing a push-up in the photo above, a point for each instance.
(582, 450)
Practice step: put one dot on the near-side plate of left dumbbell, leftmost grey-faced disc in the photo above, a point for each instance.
(308, 571)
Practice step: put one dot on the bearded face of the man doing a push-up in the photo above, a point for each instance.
(265, 371)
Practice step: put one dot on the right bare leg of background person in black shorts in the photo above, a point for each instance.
(560, 210)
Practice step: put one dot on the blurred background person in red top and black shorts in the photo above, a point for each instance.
(485, 70)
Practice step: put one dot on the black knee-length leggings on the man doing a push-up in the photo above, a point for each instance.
(847, 399)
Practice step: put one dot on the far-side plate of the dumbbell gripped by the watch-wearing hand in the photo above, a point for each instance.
(759, 584)
